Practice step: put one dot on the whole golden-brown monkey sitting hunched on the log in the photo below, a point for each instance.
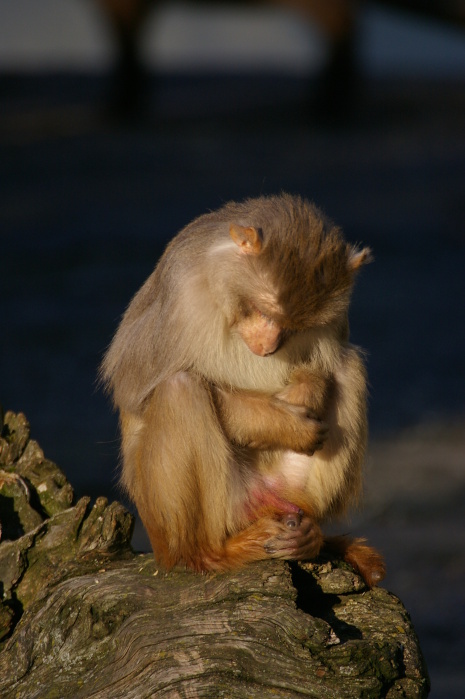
(242, 404)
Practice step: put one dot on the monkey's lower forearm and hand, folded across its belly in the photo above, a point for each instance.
(263, 421)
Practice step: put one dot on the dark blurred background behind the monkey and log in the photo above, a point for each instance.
(121, 120)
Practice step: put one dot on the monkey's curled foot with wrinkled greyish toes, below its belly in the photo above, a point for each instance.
(300, 539)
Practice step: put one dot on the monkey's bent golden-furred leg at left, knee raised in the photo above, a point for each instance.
(180, 472)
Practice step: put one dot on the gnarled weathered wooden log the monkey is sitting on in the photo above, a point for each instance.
(82, 615)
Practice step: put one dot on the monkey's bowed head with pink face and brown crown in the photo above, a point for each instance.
(296, 271)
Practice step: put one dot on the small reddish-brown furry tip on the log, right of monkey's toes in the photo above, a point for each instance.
(365, 559)
